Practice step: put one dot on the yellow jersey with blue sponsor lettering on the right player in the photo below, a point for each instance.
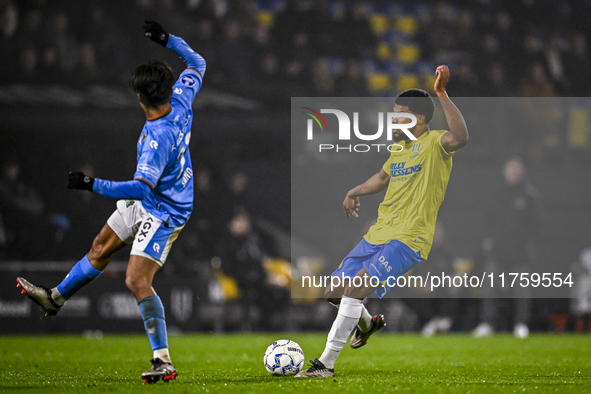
(419, 174)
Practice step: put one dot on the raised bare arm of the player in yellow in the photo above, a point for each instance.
(458, 132)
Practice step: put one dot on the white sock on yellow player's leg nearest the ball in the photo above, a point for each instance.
(347, 318)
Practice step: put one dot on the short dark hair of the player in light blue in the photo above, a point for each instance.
(154, 82)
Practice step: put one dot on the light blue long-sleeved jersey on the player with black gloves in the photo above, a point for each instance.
(163, 158)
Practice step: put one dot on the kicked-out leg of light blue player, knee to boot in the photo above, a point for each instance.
(105, 244)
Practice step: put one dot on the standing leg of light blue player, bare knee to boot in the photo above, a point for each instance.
(139, 277)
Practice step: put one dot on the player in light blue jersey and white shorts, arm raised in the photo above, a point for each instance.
(154, 206)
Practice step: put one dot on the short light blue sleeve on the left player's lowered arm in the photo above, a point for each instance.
(153, 157)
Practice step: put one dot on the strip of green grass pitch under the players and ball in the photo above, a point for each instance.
(234, 363)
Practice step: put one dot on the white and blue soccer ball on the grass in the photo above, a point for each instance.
(283, 358)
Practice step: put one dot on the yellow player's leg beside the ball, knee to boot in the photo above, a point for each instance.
(350, 312)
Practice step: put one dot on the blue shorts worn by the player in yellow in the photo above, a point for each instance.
(390, 260)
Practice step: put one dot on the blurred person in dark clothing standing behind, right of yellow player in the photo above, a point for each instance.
(511, 228)
